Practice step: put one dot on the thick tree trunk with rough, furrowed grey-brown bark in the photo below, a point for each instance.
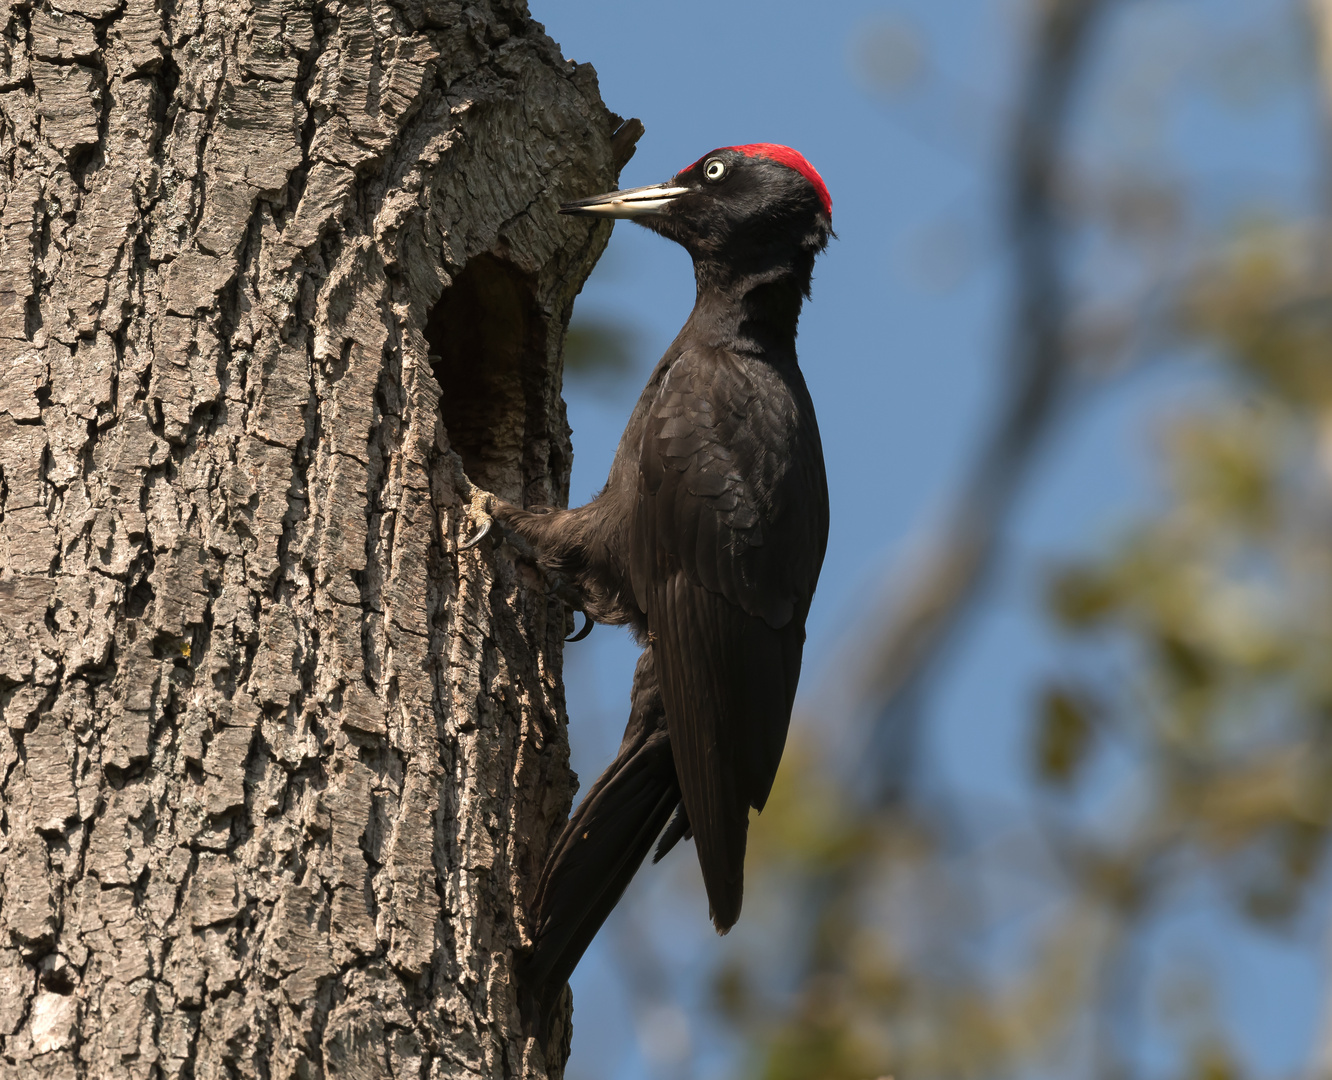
(279, 762)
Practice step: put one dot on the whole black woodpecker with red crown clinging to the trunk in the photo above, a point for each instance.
(707, 543)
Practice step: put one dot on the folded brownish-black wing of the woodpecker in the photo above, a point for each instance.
(727, 548)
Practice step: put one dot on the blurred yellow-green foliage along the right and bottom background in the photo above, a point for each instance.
(1187, 745)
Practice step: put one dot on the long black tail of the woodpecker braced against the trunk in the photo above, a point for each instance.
(603, 846)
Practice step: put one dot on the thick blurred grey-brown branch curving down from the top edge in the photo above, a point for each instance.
(1040, 367)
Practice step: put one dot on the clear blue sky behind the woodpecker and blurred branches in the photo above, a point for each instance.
(902, 350)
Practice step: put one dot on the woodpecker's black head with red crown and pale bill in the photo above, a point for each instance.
(751, 208)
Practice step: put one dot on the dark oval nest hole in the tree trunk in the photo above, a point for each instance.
(488, 348)
